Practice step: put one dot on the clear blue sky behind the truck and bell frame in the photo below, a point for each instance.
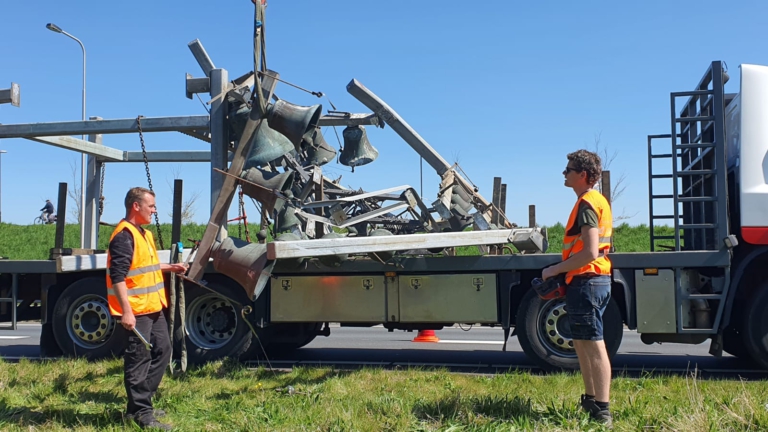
(506, 88)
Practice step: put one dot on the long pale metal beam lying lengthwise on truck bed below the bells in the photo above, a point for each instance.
(351, 245)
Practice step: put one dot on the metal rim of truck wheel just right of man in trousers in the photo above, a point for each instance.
(211, 321)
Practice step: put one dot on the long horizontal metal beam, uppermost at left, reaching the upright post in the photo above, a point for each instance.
(117, 126)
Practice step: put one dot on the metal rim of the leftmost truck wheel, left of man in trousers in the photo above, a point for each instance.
(89, 323)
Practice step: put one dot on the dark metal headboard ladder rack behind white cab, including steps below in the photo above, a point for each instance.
(698, 182)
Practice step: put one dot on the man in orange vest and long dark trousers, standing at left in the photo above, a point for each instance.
(136, 296)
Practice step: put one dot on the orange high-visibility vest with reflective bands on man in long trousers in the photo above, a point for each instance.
(146, 288)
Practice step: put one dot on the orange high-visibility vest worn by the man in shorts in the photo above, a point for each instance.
(574, 243)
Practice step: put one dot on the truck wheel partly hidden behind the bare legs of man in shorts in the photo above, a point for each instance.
(545, 334)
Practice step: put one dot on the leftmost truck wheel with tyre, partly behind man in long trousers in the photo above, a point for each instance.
(82, 325)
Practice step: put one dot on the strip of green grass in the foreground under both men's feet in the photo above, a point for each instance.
(225, 396)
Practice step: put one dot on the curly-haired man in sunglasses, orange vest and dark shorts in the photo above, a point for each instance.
(587, 272)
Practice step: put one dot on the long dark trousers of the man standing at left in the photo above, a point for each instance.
(144, 369)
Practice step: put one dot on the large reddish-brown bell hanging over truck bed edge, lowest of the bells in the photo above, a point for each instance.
(240, 260)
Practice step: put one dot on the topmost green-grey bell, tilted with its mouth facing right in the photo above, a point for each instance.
(294, 121)
